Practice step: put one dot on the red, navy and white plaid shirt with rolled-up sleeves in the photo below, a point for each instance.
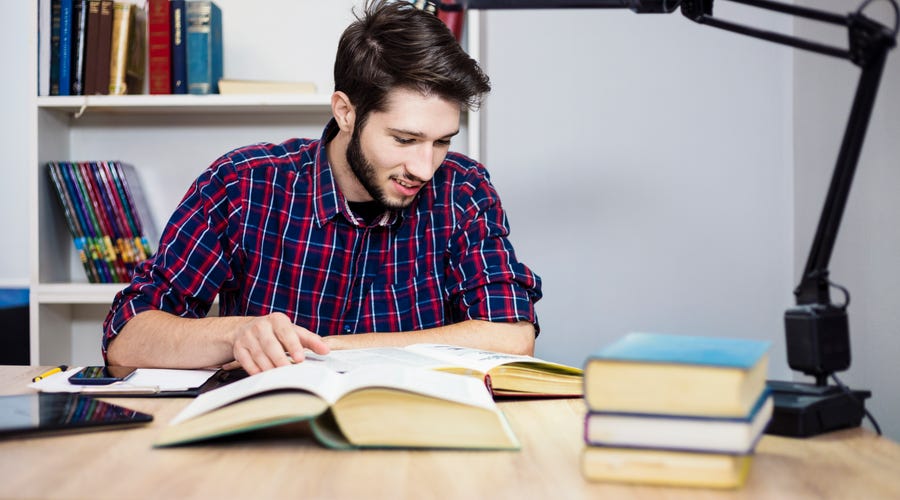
(266, 229)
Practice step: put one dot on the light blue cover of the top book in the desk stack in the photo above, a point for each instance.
(684, 349)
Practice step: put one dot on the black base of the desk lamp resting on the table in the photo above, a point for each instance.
(803, 410)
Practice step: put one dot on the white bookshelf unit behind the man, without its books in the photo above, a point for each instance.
(170, 139)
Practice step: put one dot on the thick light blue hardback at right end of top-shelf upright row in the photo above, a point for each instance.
(204, 47)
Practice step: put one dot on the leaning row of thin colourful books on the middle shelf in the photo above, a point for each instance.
(104, 210)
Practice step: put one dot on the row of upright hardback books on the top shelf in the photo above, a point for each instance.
(89, 47)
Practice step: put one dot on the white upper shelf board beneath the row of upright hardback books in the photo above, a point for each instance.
(186, 103)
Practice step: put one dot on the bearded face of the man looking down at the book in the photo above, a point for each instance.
(398, 150)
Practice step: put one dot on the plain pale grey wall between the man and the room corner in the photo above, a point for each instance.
(645, 162)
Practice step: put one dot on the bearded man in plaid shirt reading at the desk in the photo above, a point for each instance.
(374, 235)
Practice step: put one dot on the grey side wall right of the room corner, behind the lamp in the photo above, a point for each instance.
(866, 256)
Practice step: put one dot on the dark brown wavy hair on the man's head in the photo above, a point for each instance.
(394, 45)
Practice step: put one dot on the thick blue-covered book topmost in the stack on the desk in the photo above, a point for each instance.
(677, 374)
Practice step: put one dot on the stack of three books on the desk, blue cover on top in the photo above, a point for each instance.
(675, 410)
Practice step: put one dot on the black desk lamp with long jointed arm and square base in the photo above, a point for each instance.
(817, 330)
